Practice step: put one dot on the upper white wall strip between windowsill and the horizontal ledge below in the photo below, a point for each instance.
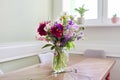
(103, 33)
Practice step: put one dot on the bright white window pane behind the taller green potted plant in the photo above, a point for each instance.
(91, 14)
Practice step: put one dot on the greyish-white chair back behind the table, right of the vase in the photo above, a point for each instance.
(95, 53)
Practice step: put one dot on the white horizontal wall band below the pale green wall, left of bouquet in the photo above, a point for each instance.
(18, 50)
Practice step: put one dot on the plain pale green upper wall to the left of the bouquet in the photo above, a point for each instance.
(19, 19)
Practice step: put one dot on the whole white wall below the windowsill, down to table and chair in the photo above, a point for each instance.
(106, 38)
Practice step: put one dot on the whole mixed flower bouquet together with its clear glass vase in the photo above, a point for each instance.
(61, 35)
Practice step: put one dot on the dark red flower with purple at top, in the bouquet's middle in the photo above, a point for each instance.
(57, 30)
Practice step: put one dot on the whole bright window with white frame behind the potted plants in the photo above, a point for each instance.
(100, 11)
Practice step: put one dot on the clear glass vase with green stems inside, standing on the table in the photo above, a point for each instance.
(59, 60)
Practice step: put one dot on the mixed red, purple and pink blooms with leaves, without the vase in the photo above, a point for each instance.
(60, 33)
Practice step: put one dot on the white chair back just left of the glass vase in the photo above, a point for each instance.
(46, 58)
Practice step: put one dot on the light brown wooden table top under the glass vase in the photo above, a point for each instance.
(79, 68)
